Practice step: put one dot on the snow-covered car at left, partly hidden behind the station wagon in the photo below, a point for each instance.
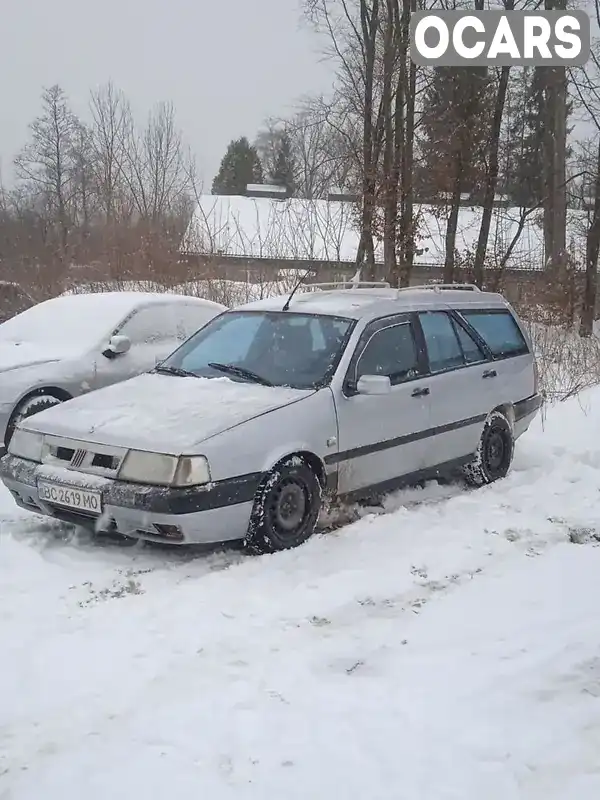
(74, 344)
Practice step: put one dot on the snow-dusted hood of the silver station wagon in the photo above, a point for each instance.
(161, 413)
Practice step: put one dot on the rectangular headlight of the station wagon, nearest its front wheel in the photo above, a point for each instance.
(162, 470)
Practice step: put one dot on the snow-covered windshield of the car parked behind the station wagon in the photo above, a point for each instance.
(79, 320)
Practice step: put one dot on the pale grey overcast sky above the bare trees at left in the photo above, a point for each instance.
(225, 64)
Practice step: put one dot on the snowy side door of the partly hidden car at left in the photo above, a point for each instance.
(153, 333)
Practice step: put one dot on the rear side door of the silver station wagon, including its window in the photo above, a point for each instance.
(459, 381)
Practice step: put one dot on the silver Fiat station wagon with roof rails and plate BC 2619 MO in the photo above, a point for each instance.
(344, 390)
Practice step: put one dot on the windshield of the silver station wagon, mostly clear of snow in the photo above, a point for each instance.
(277, 348)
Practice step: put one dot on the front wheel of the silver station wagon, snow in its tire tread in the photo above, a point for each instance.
(286, 508)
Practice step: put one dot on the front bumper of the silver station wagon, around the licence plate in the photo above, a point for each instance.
(217, 513)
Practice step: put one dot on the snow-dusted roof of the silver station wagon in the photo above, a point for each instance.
(360, 303)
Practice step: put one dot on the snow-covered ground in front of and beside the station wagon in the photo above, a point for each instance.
(447, 648)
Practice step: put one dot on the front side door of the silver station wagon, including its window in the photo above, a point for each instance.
(381, 436)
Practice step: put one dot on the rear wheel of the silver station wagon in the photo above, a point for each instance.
(494, 454)
